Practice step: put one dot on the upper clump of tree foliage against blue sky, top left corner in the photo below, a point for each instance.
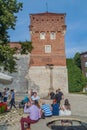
(8, 10)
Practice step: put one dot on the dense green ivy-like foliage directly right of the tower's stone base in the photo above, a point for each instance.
(76, 79)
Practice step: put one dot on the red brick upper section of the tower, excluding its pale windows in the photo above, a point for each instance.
(48, 22)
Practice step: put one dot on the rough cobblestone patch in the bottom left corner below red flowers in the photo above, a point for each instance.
(11, 119)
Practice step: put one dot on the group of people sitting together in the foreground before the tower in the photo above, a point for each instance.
(38, 109)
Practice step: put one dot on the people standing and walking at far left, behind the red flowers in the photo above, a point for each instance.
(8, 94)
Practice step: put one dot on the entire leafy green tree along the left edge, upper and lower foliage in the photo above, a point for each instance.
(8, 10)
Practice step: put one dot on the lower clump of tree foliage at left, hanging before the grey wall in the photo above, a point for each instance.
(7, 60)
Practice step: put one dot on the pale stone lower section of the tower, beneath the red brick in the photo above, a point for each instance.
(39, 79)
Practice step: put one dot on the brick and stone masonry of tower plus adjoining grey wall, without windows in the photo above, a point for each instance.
(41, 70)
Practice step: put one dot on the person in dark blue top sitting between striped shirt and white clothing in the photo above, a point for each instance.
(55, 108)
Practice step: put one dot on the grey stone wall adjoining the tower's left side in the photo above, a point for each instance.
(20, 83)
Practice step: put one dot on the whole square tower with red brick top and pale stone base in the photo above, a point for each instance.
(47, 70)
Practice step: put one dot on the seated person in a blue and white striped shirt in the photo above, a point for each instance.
(46, 109)
